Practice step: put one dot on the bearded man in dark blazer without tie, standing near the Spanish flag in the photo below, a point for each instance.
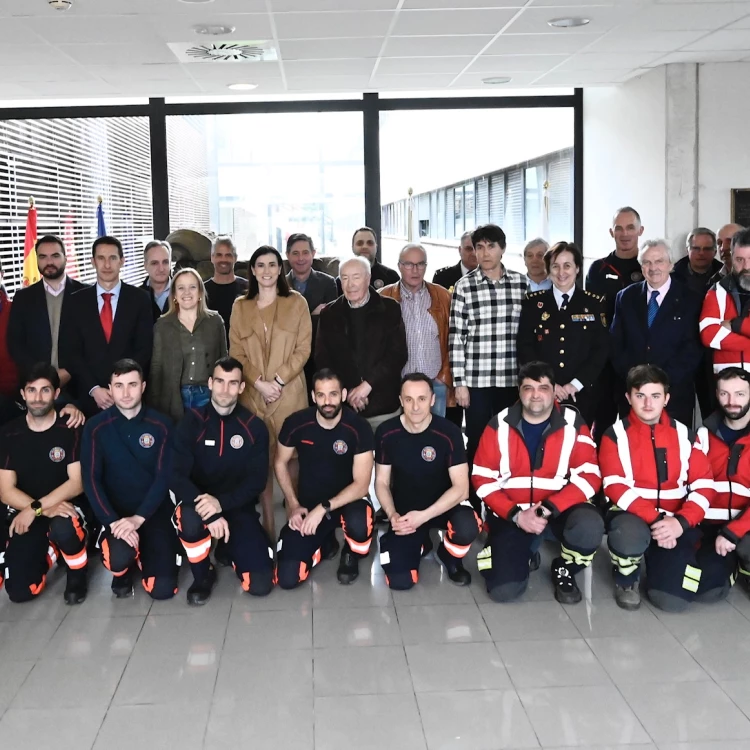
(40, 313)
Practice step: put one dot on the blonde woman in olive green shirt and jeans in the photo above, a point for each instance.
(188, 339)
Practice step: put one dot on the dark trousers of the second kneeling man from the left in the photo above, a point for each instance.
(156, 556)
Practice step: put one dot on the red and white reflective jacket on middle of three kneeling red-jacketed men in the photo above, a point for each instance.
(658, 469)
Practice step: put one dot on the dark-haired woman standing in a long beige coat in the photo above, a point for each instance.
(270, 332)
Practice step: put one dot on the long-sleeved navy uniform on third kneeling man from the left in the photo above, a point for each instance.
(227, 457)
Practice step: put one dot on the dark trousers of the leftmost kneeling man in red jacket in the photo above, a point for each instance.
(504, 563)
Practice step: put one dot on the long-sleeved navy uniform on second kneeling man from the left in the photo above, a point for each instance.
(127, 465)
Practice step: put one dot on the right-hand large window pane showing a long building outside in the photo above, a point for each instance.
(512, 167)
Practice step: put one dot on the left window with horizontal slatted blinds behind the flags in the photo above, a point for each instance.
(65, 165)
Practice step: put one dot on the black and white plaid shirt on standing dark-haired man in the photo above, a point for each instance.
(483, 329)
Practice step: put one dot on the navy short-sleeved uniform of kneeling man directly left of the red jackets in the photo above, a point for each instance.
(420, 475)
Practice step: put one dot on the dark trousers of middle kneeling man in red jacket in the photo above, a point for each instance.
(674, 577)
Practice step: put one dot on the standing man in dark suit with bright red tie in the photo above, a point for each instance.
(108, 322)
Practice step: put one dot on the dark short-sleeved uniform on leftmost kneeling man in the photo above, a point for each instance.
(40, 462)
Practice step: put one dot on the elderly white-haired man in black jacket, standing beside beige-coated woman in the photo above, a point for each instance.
(361, 338)
